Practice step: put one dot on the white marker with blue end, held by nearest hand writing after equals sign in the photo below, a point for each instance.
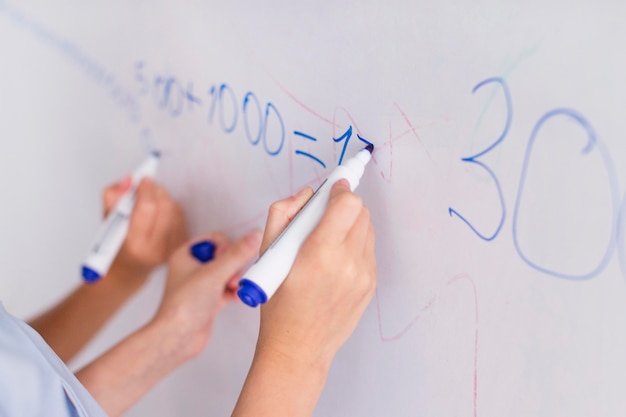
(270, 270)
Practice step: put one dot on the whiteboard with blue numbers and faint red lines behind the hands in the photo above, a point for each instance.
(497, 189)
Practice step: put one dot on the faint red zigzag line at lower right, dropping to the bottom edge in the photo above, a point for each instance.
(455, 280)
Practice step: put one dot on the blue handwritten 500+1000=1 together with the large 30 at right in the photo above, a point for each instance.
(225, 110)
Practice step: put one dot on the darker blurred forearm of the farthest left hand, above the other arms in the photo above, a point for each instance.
(69, 325)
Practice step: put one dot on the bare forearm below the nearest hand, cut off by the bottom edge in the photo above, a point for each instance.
(279, 386)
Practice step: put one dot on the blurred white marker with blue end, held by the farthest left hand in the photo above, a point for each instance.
(113, 230)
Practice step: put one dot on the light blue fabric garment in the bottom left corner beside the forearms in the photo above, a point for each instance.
(34, 382)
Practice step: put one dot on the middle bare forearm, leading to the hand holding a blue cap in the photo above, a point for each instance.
(120, 377)
